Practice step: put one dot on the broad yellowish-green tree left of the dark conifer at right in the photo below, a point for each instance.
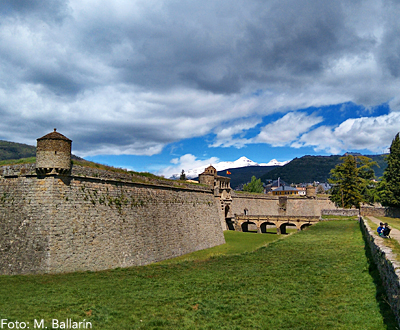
(352, 181)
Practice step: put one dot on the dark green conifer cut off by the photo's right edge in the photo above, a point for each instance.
(390, 185)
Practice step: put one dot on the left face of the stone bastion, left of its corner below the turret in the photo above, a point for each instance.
(24, 225)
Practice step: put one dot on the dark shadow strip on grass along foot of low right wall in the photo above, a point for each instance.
(381, 297)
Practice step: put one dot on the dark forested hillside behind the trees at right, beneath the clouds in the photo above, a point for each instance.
(315, 168)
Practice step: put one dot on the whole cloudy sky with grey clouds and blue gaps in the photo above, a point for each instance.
(165, 85)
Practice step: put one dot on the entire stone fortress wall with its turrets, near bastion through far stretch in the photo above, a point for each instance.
(55, 217)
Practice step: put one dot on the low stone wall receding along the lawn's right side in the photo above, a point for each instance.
(389, 268)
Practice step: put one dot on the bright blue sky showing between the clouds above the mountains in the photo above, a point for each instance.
(200, 147)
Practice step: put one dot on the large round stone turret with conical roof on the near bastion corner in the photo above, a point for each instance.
(53, 154)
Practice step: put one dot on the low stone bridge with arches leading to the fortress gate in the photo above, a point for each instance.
(263, 222)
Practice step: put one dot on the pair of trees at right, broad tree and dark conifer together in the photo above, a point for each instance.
(354, 180)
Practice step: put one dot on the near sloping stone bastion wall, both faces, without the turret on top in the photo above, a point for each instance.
(64, 224)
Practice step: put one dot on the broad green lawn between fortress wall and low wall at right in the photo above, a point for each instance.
(317, 279)
